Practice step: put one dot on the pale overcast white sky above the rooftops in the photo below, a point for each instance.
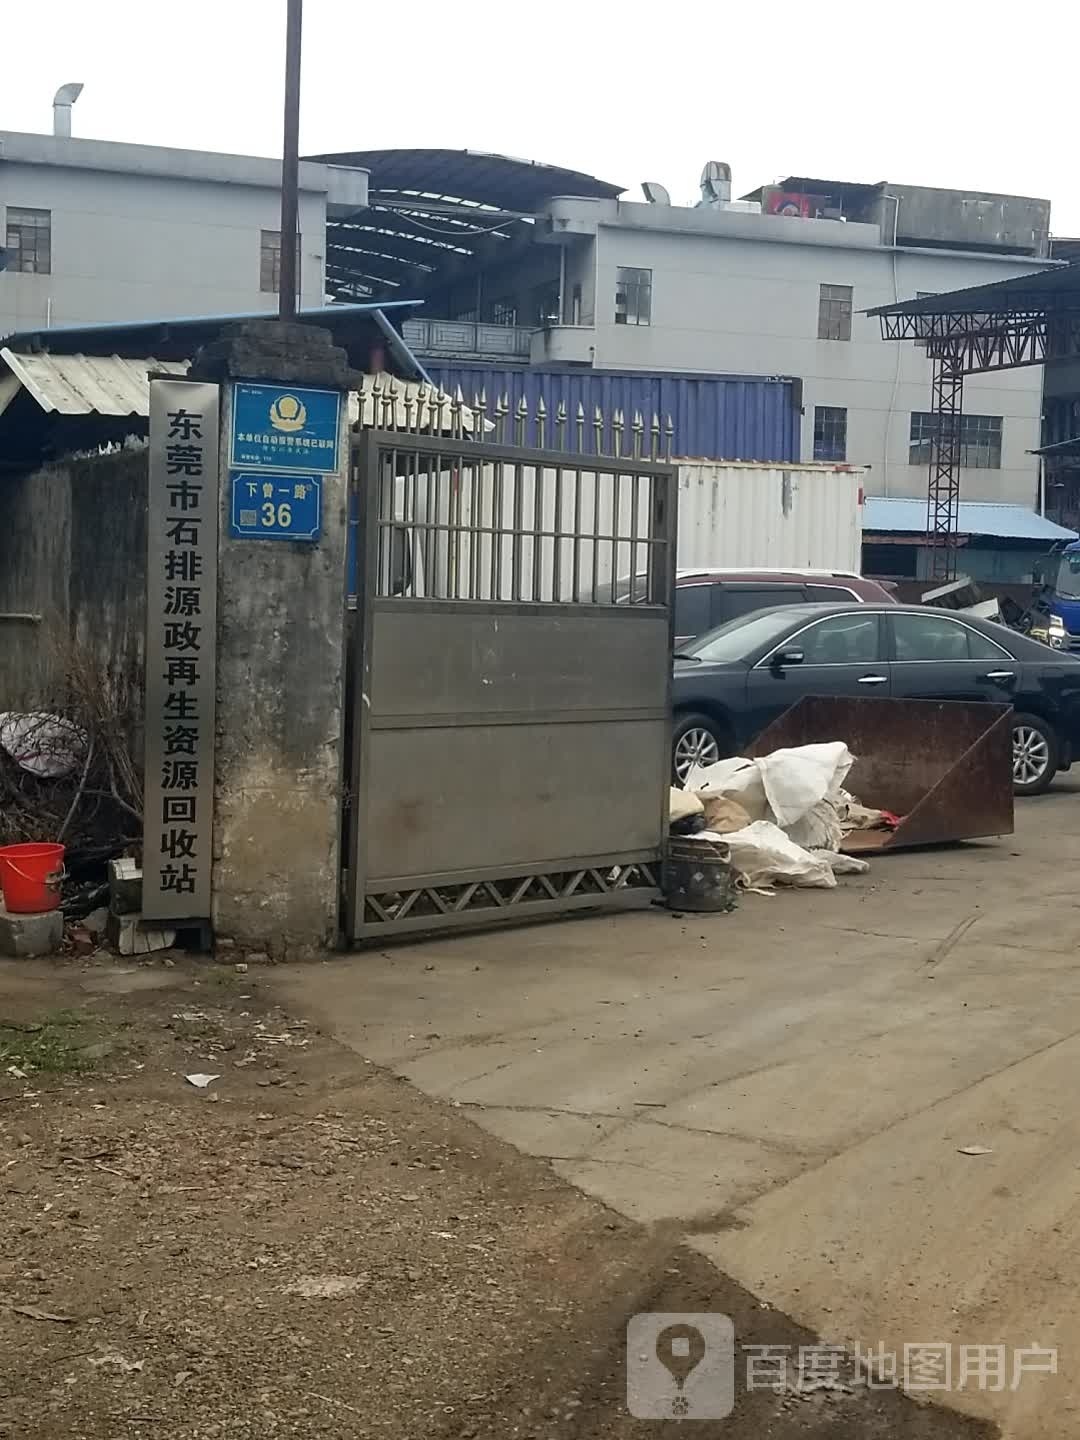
(629, 91)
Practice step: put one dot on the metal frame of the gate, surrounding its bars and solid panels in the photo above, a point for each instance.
(611, 892)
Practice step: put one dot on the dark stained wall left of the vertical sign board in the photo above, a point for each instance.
(73, 552)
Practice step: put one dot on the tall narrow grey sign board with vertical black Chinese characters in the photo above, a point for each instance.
(181, 650)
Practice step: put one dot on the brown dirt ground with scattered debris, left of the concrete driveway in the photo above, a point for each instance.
(309, 1246)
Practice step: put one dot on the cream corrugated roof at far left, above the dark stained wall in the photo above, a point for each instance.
(89, 385)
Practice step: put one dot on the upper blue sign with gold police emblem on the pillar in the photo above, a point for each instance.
(280, 428)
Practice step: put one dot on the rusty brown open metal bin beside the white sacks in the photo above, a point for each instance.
(944, 767)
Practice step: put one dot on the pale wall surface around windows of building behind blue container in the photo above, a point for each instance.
(739, 294)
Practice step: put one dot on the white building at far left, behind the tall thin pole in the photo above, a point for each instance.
(96, 231)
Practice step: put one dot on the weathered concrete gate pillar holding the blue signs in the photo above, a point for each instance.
(282, 669)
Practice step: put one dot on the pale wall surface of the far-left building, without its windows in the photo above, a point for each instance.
(145, 246)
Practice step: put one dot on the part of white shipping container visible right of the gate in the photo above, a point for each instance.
(735, 515)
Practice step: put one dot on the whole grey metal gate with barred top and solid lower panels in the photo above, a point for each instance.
(512, 670)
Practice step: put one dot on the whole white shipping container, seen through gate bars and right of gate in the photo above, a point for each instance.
(470, 529)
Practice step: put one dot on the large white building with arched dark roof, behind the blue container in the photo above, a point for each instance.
(594, 282)
